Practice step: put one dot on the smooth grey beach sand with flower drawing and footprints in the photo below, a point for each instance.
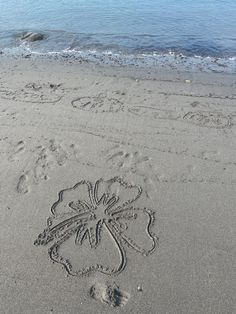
(117, 191)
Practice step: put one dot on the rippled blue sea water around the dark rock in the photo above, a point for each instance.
(202, 28)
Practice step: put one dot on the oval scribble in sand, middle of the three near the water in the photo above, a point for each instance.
(98, 104)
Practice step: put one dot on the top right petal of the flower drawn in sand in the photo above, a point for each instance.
(116, 193)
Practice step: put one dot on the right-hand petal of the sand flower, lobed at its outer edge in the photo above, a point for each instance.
(133, 227)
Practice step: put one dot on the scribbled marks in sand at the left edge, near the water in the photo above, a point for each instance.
(33, 93)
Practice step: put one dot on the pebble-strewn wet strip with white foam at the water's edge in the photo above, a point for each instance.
(154, 62)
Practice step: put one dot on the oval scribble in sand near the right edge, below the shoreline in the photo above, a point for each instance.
(208, 119)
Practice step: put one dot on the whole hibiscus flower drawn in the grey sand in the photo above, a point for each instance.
(97, 216)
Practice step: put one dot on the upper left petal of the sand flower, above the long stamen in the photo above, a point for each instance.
(75, 199)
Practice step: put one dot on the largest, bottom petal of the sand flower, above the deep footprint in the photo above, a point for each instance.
(108, 257)
